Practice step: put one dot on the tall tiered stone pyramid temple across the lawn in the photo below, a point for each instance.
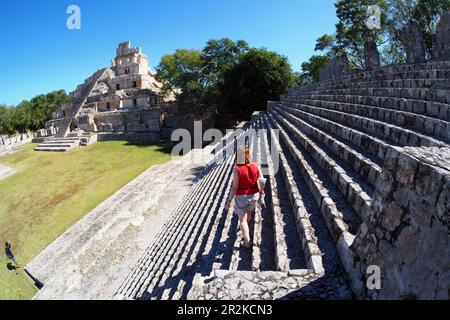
(120, 100)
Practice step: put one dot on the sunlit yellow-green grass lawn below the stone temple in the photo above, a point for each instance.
(51, 191)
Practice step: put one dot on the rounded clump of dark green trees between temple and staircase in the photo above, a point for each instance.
(228, 74)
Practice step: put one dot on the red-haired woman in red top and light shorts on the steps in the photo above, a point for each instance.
(248, 187)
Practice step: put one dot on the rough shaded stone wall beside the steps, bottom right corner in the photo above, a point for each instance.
(407, 234)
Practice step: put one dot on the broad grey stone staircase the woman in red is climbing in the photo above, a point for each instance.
(333, 138)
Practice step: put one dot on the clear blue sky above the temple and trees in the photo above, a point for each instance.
(39, 54)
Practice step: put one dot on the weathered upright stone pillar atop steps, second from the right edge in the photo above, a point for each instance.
(414, 45)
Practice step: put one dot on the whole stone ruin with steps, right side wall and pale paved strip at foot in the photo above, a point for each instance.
(363, 180)
